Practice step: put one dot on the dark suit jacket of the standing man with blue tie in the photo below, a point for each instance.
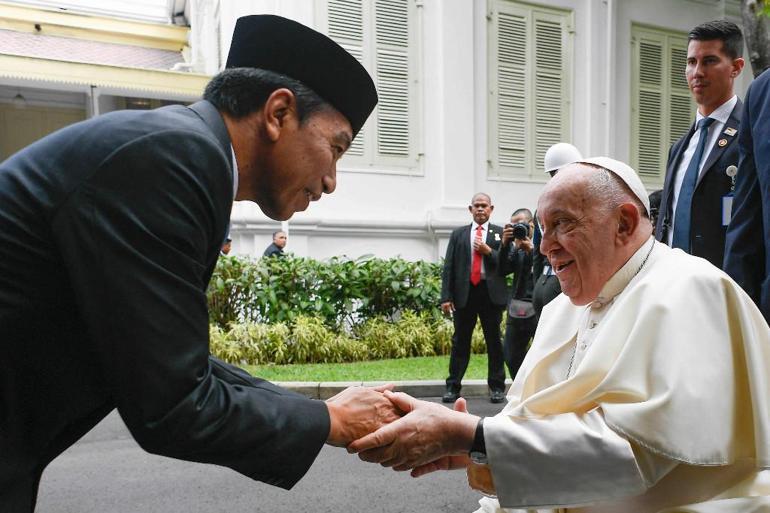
(707, 234)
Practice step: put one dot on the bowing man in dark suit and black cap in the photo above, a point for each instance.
(109, 233)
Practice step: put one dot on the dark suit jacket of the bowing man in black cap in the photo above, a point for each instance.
(109, 233)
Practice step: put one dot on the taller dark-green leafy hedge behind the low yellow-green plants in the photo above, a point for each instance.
(343, 293)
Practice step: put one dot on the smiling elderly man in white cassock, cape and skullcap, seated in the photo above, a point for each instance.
(647, 387)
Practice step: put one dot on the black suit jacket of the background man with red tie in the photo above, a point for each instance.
(456, 274)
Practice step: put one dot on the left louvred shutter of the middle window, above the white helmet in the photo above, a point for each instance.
(511, 91)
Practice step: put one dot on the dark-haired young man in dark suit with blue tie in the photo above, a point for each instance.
(697, 194)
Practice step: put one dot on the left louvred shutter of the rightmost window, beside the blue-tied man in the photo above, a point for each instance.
(649, 108)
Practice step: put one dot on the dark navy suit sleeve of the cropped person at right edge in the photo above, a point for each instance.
(747, 257)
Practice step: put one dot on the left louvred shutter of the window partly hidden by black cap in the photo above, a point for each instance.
(346, 27)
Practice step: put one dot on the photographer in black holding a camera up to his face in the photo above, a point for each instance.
(516, 254)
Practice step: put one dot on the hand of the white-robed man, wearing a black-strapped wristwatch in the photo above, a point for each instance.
(426, 433)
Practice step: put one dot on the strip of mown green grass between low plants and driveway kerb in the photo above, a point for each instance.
(426, 367)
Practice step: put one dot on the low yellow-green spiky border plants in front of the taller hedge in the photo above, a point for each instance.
(309, 340)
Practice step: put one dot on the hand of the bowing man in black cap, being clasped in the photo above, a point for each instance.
(357, 411)
